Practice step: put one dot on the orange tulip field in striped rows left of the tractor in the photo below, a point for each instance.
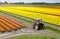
(8, 25)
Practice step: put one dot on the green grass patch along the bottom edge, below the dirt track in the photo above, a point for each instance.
(33, 37)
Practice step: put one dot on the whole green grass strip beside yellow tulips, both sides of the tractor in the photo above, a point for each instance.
(46, 27)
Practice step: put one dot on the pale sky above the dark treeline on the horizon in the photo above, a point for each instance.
(29, 1)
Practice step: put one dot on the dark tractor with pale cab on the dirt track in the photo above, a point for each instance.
(38, 25)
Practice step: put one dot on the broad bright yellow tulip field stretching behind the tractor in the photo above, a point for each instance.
(50, 15)
